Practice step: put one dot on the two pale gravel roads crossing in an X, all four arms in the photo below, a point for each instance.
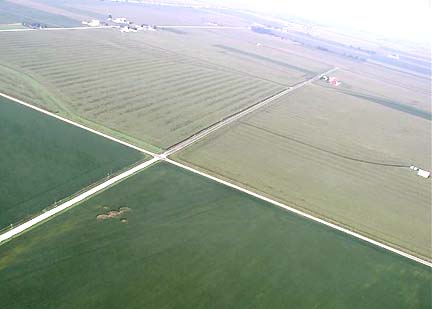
(177, 147)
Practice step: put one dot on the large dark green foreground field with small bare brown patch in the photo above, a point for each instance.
(180, 240)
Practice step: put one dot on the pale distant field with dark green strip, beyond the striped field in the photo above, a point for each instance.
(253, 53)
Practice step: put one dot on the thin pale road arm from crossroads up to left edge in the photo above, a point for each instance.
(43, 111)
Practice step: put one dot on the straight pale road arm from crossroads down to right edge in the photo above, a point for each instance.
(303, 214)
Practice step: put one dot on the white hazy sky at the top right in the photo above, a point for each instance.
(397, 18)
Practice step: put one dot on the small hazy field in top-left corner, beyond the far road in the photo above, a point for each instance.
(16, 13)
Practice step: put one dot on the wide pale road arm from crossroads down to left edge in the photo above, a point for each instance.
(27, 225)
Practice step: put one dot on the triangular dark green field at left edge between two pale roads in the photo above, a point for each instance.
(44, 160)
